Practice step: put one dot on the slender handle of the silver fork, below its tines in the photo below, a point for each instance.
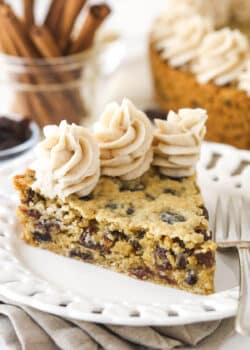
(242, 323)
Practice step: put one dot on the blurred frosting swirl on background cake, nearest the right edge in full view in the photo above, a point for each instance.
(221, 56)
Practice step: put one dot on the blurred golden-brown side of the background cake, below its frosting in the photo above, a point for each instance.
(228, 108)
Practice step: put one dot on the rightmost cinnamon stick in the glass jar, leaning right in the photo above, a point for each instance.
(95, 16)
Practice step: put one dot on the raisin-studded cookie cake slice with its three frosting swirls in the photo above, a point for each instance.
(143, 216)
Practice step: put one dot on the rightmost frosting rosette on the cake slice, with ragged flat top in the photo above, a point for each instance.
(177, 141)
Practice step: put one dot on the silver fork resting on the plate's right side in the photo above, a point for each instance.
(231, 228)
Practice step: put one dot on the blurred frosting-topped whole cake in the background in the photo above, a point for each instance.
(199, 54)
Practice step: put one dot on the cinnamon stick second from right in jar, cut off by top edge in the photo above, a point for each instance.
(70, 13)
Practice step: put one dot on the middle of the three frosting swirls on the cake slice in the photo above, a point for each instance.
(125, 136)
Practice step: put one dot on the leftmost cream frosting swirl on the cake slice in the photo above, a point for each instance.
(68, 161)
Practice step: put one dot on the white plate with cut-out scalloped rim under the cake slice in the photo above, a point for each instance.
(83, 291)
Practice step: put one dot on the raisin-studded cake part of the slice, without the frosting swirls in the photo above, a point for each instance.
(154, 228)
